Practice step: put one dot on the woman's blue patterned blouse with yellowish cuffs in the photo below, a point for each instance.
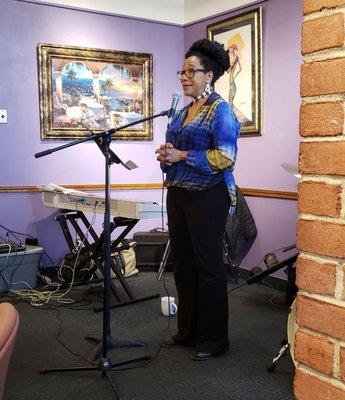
(210, 139)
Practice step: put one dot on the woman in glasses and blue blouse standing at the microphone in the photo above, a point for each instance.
(198, 158)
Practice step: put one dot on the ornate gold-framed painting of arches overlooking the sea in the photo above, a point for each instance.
(84, 89)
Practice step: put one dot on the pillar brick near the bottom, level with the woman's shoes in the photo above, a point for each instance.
(314, 352)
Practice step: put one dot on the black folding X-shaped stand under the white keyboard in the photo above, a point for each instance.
(94, 252)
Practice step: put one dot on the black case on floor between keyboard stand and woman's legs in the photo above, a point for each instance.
(150, 248)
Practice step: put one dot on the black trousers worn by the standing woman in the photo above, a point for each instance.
(196, 228)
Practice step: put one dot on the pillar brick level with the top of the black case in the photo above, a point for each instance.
(321, 237)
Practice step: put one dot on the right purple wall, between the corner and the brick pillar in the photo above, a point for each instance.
(259, 158)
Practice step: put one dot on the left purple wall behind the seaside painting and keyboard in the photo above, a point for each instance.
(23, 26)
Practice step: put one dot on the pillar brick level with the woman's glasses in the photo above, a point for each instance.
(323, 77)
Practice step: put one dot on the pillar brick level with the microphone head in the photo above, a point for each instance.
(321, 119)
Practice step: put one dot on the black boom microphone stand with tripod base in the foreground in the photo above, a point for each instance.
(103, 140)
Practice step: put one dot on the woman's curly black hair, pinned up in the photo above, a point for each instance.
(212, 56)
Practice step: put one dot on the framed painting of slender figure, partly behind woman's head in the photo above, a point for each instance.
(241, 84)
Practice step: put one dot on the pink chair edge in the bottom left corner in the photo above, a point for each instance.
(9, 321)
